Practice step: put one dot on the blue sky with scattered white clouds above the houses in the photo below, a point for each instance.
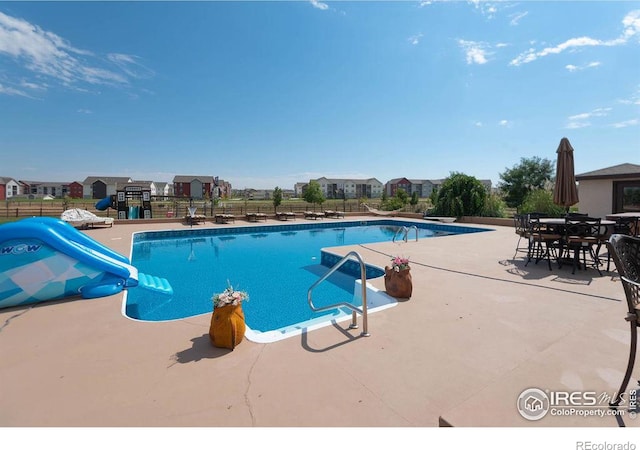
(266, 94)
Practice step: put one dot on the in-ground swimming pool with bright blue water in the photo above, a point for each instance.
(275, 265)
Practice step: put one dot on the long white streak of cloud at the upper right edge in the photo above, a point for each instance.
(631, 24)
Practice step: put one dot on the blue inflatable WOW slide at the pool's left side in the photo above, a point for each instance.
(47, 259)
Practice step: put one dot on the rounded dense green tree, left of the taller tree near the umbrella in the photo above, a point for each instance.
(460, 195)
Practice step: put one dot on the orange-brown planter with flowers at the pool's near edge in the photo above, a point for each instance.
(227, 321)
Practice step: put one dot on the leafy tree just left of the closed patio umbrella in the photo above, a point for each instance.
(530, 174)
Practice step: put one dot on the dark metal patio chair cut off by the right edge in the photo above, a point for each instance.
(625, 251)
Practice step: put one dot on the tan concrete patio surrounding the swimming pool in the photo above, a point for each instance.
(480, 329)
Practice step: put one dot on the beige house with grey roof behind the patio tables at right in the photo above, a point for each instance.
(613, 189)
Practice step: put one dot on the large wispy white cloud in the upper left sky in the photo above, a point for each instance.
(48, 55)
